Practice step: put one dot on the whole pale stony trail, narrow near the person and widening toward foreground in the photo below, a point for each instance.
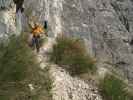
(65, 86)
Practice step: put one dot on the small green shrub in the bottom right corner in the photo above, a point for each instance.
(113, 88)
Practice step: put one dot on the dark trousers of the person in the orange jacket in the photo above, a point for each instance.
(36, 42)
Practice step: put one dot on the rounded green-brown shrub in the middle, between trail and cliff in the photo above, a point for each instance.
(71, 54)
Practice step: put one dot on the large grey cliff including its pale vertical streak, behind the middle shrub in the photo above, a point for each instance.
(105, 25)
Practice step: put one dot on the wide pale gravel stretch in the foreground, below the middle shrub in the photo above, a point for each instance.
(69, 88)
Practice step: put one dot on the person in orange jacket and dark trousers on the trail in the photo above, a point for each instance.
(36, 34)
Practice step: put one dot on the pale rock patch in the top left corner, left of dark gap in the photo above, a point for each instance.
(7, 19)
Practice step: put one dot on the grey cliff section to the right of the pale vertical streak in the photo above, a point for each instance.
(106, 29)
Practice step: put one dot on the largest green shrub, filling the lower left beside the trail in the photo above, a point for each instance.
(18, 69)
